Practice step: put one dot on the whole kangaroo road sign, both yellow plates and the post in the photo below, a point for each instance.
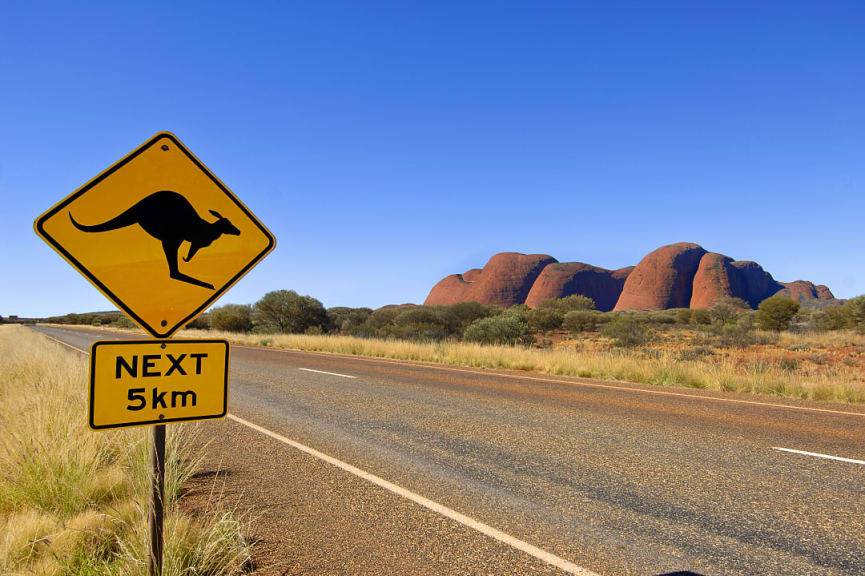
(162, 238)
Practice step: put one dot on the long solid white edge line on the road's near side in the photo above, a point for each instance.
(485, 529)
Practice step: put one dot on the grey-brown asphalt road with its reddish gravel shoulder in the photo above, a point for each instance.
(514, 473)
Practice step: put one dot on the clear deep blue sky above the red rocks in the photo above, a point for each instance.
(389, 144)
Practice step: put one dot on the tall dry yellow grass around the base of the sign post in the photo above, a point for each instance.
(74, 501)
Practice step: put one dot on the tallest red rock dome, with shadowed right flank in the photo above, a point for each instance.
(663, 279)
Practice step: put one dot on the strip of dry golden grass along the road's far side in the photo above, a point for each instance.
(826, 367)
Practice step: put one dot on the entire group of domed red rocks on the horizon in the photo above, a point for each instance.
(682, 275)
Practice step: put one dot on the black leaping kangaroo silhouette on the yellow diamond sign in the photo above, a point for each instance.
(171, 219)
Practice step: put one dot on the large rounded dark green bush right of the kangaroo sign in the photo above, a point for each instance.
(285, 311)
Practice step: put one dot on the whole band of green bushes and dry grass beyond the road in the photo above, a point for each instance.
(779, 349)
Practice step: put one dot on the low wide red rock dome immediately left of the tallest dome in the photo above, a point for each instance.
(565, 279)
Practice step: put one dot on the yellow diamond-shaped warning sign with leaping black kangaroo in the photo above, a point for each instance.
(158, 234)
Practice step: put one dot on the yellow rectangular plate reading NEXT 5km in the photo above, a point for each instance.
(141, 382)
